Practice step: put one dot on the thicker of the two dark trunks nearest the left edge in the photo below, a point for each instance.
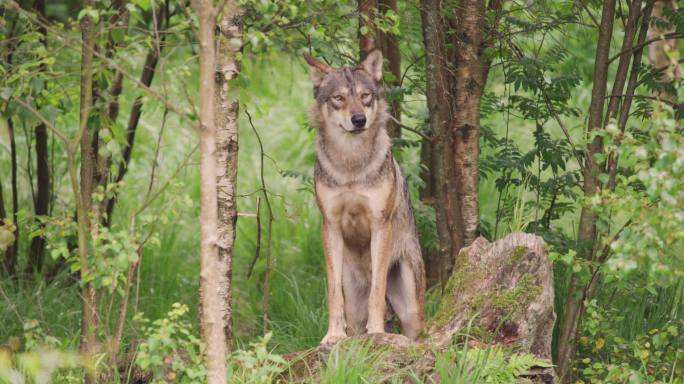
(42, 201)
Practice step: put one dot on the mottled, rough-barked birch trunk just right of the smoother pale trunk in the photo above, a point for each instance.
(226, 105)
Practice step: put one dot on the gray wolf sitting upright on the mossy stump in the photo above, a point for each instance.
(371, 247)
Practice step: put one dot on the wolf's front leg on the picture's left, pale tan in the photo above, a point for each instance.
(334, 248)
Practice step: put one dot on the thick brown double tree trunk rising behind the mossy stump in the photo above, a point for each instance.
(455, 40)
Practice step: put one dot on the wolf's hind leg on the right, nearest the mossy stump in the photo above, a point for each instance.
(404, 296)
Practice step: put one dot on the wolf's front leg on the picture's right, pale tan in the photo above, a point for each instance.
(381, 239)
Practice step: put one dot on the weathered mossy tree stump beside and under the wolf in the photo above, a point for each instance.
(506, 287)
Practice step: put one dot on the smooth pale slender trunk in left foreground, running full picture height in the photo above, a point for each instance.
(212, 271)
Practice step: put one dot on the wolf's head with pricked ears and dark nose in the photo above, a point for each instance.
(348, 99)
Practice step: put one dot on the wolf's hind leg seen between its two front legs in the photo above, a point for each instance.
(356, 291)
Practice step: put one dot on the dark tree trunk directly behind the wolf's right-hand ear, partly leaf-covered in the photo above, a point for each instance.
(389, 44)
